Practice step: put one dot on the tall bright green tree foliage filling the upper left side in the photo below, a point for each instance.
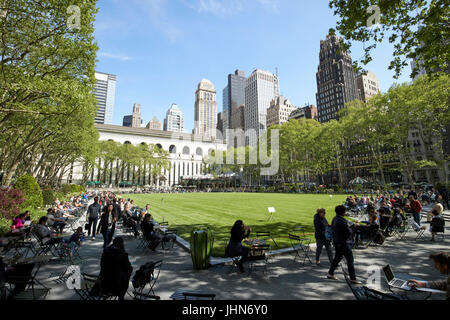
(46, 82)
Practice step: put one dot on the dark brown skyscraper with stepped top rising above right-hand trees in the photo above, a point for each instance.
(336, 79)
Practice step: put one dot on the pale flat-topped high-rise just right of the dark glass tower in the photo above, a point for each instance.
(261, 87)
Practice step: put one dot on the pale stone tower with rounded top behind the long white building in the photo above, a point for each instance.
(205, 110)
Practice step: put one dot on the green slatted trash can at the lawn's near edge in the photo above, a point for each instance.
(201, 248)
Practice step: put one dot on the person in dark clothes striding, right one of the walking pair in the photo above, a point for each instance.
(343, 243)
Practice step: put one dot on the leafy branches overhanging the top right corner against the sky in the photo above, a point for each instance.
(418, 29)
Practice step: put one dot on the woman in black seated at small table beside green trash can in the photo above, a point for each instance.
(235, 248)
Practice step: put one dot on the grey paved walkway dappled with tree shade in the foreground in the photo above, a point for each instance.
(285, 281)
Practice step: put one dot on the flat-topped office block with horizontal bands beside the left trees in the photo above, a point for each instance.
(105, 91)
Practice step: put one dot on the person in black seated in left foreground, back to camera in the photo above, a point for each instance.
(115, 270)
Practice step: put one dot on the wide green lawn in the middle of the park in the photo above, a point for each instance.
(219, 211)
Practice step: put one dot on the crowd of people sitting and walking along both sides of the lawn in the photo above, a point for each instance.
(384, 212)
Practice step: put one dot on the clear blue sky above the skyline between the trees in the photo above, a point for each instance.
(161, 49)
